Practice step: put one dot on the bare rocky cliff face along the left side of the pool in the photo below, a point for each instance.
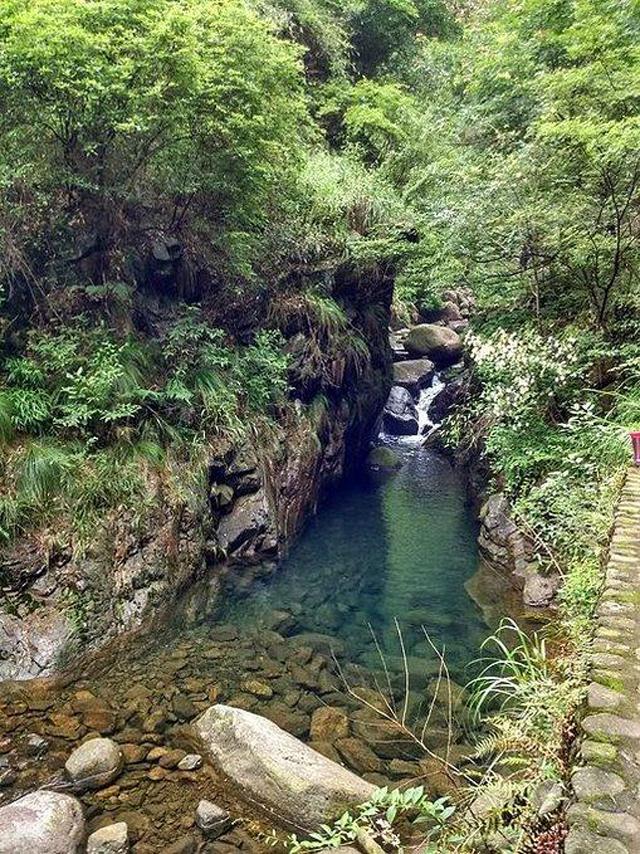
(255, 498)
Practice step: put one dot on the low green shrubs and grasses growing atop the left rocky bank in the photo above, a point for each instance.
(90, 416)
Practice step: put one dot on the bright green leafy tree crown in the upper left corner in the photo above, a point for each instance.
(109, 105)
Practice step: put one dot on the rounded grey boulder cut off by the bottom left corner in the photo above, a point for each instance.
(42, 823)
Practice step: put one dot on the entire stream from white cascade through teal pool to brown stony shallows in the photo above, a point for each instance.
(374, 585)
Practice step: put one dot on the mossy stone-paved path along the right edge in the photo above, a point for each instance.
(606, 816)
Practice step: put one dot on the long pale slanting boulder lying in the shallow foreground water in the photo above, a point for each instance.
(277, 771)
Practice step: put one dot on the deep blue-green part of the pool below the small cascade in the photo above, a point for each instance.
(401, 549)
